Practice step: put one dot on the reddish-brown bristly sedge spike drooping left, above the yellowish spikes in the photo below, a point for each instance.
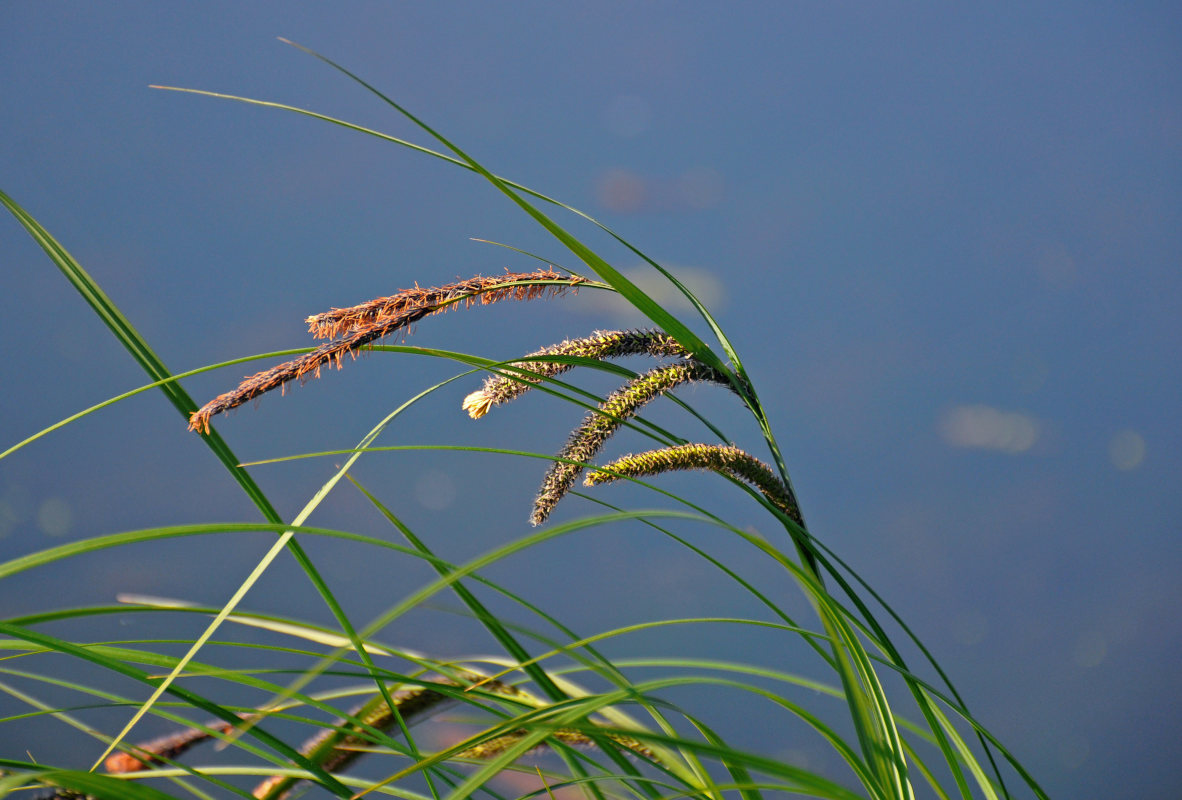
(371, 322)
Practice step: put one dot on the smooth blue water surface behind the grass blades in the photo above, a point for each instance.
(946, 242)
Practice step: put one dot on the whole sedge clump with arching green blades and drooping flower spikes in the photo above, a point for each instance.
(620, 739)
